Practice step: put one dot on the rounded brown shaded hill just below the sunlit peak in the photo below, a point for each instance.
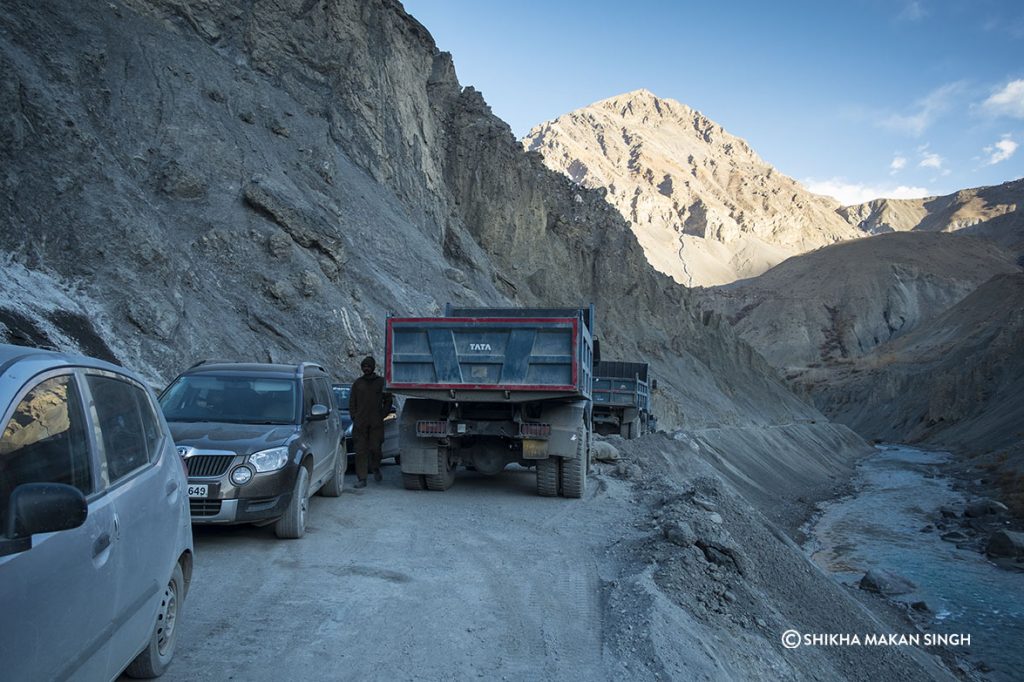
(844, 302)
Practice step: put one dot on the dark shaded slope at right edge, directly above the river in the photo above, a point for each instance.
(957, 382)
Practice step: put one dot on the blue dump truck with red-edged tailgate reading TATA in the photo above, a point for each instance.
(488, 388)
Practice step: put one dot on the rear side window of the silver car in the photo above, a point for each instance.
(130, 439)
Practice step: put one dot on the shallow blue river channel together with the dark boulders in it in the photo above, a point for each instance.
(922, 540)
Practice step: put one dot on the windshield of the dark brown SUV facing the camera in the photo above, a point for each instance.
(231, 400)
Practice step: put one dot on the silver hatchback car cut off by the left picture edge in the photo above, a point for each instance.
(97, 547)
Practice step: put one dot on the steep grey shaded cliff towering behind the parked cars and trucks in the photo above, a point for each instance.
(186, 181)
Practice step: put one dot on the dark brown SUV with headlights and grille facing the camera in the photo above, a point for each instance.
(258, 441)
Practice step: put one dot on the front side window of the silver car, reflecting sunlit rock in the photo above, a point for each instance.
(46, 442)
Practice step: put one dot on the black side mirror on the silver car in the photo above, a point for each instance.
(41, 508)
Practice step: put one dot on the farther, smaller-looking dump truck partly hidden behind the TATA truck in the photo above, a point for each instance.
(622, 399)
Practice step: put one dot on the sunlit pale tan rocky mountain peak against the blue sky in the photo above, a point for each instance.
(705, 207)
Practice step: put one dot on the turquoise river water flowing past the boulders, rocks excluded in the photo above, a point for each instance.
(901, 491)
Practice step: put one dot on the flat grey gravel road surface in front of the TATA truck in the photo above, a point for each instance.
(487, 580)
